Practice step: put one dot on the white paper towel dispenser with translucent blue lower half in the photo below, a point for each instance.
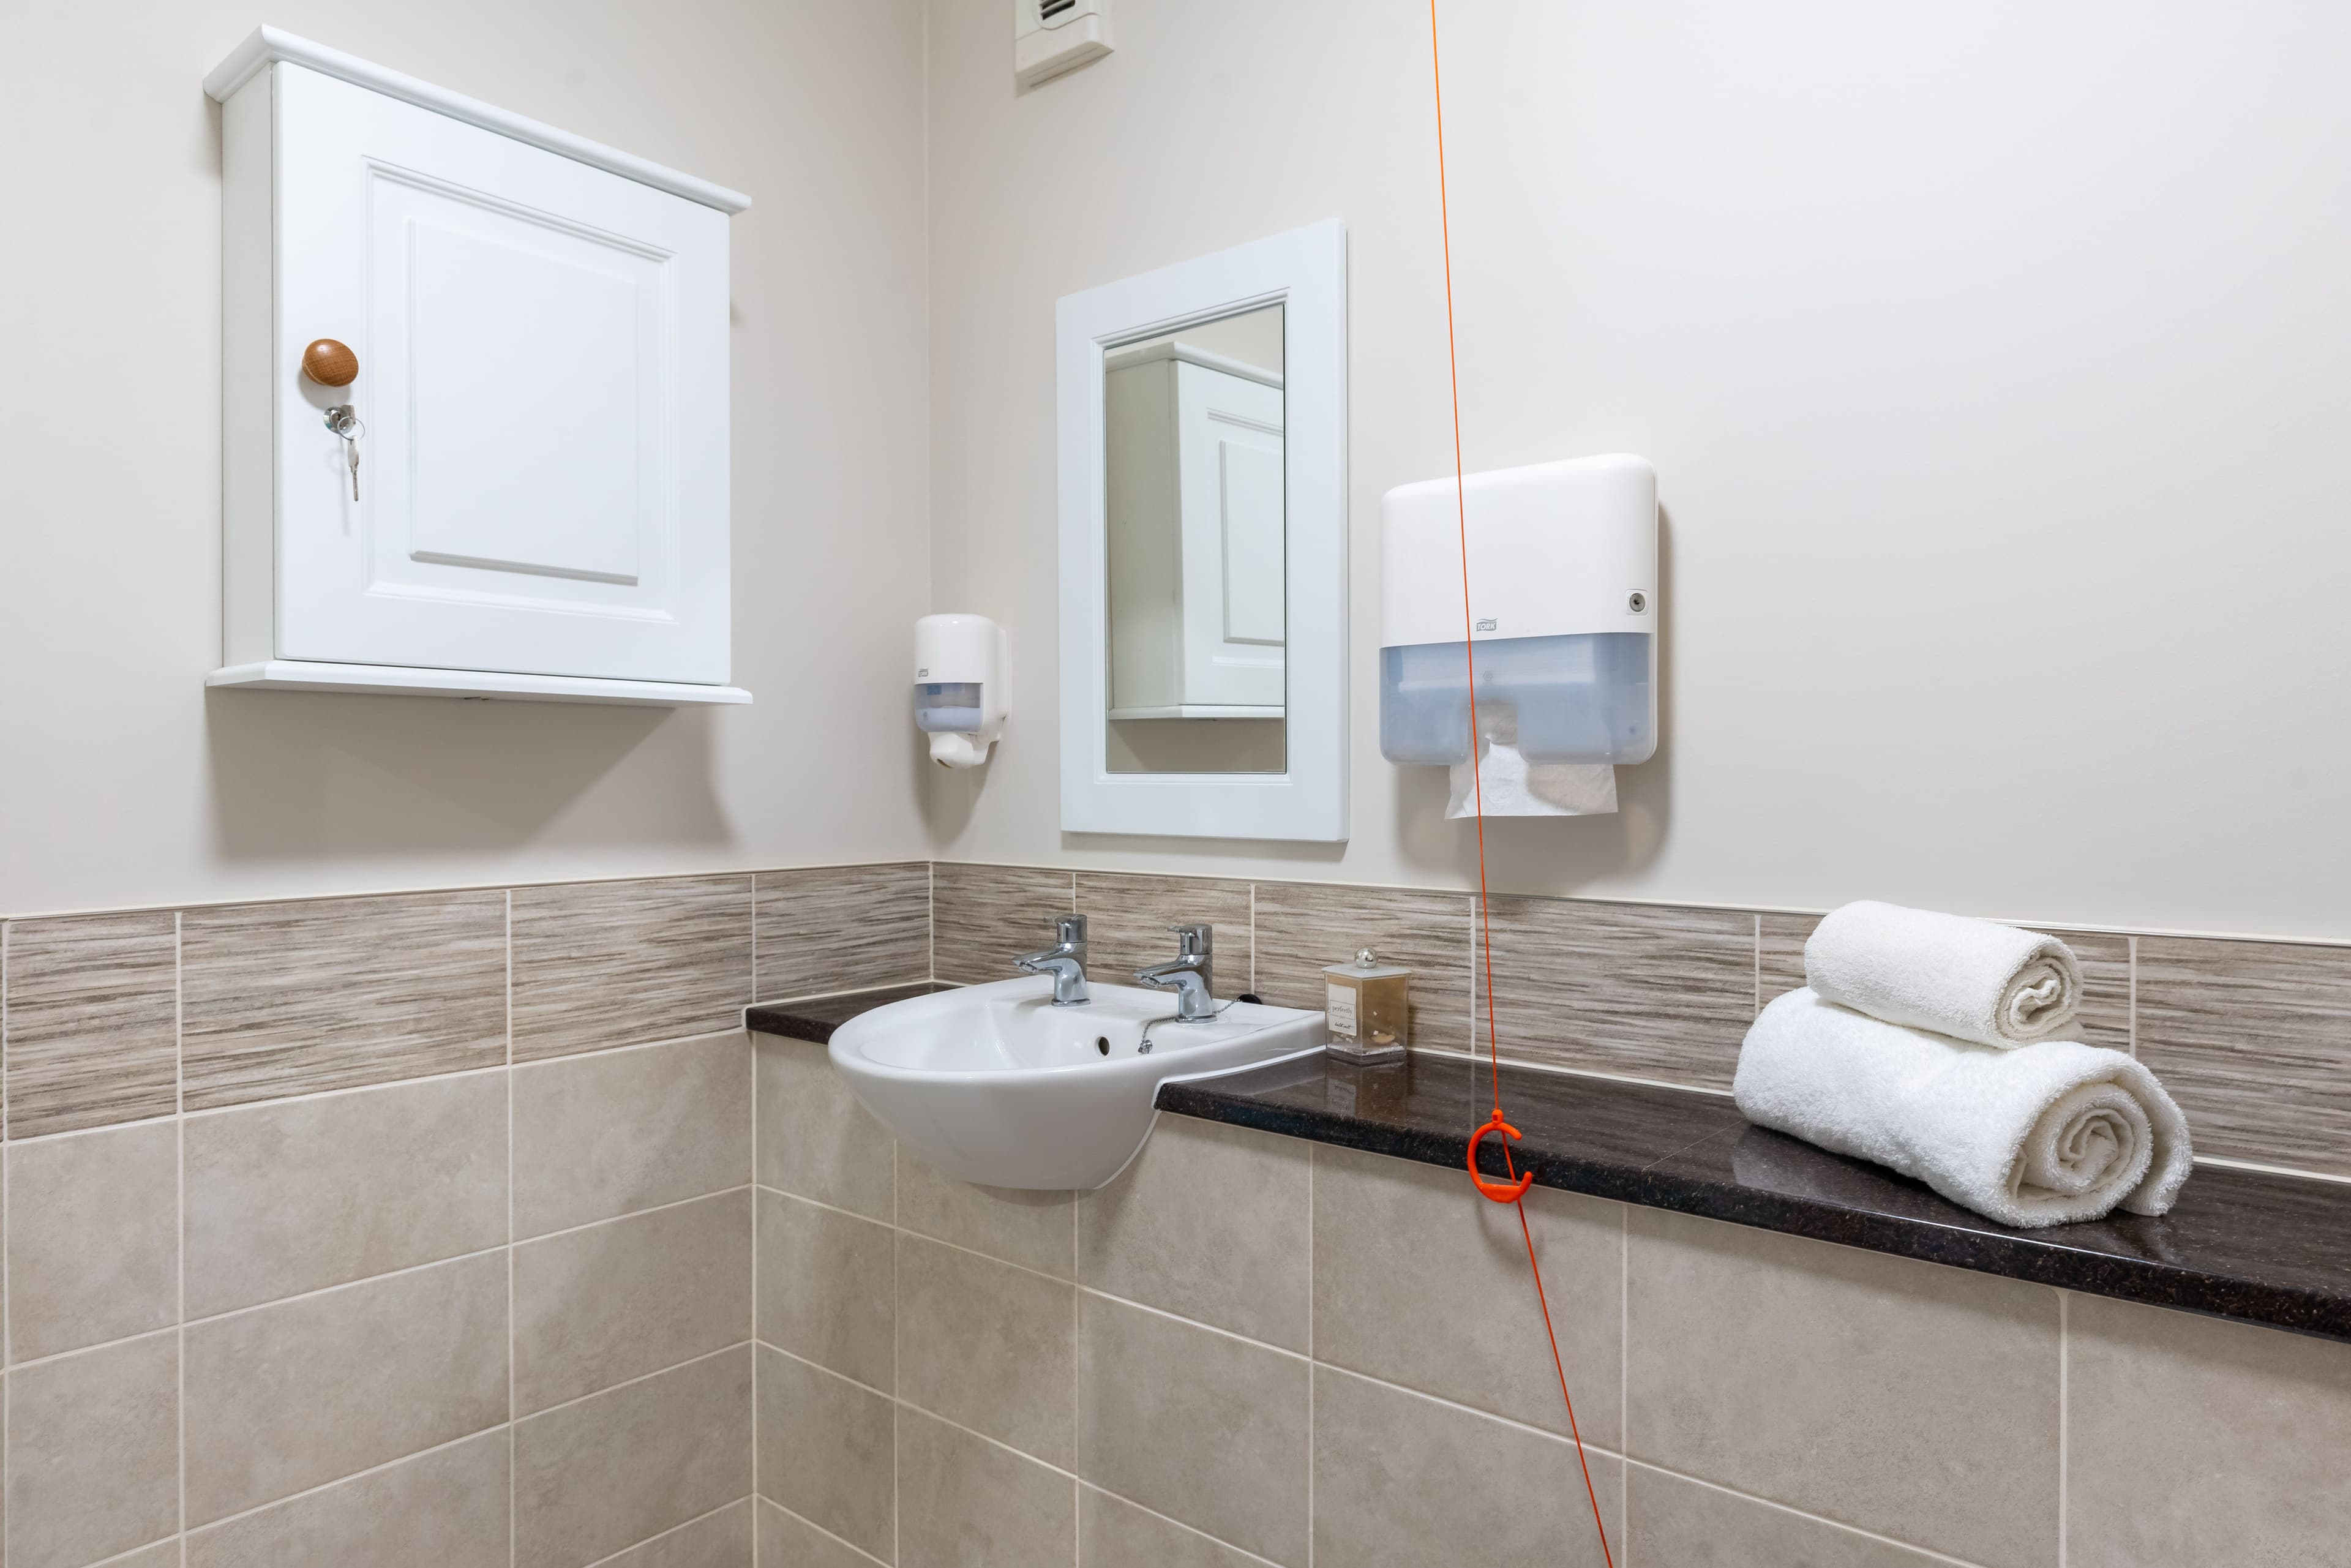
(1562, 610)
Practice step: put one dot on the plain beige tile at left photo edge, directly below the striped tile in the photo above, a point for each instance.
(93, 1238)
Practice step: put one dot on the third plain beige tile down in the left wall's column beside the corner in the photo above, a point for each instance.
(619, 1468)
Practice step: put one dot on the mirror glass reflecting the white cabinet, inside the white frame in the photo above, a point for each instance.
(1195, 549)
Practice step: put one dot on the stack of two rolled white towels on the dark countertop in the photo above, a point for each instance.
(2028, 1134)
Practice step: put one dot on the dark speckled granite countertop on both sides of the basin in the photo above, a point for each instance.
(2239, 1245)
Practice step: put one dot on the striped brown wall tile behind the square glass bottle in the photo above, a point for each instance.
(1306, 925)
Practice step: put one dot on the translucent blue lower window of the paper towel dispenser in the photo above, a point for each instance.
(1576, 699)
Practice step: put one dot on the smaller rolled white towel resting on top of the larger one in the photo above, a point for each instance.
(1969, 979)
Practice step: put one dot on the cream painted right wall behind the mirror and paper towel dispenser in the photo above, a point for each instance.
(1995, 361)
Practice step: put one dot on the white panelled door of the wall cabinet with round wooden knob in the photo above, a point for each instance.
(542, 382)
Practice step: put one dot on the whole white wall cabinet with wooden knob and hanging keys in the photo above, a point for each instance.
(542, 492)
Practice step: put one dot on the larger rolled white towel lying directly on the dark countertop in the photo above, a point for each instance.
(2044, 1134)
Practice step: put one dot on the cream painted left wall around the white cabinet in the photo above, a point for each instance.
(123, 782)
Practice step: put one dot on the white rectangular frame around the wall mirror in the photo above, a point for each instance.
(1306, 272)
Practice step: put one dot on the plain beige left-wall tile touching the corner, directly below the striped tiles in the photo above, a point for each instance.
(610, 1134)
